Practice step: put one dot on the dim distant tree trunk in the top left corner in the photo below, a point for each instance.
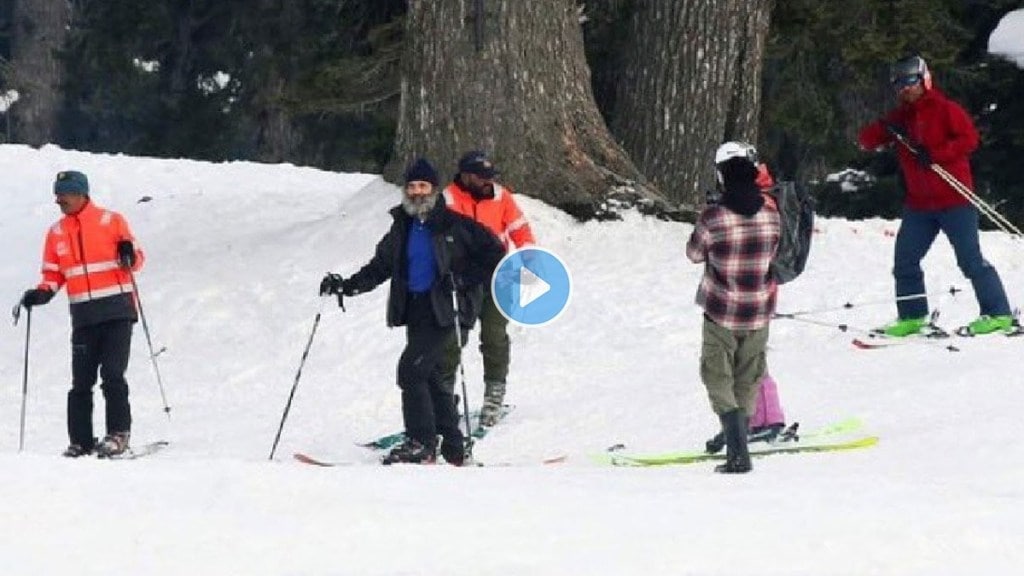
(39, 32)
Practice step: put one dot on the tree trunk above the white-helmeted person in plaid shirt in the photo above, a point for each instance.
(693, 80)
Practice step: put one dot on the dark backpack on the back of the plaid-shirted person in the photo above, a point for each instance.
(796, 215)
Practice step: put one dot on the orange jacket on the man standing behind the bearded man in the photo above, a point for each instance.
(500, 215)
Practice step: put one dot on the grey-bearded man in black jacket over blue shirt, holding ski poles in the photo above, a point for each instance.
(429, 253)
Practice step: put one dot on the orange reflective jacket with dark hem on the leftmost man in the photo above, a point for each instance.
(81, 253)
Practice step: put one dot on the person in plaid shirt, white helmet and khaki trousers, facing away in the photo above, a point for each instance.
(736, 238)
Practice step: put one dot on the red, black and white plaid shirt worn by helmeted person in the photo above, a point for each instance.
(738, 292)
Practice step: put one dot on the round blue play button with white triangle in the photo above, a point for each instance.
(532, 286)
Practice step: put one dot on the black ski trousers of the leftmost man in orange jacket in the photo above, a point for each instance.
(104, 350)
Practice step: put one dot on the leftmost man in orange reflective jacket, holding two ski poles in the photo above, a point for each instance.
(93, 252)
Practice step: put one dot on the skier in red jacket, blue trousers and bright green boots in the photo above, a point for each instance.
(943, 134)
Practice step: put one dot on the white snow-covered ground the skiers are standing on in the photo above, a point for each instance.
(235, 255)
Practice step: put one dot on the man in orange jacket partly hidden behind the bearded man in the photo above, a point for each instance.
(476, 194)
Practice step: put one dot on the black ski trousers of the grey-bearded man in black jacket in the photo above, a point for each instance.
(429, 404)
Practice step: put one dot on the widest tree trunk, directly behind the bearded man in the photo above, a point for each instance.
(511, 79)
